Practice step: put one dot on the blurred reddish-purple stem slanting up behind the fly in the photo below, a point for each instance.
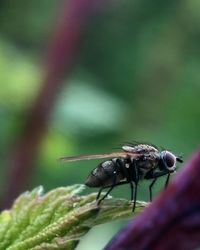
(61, 56)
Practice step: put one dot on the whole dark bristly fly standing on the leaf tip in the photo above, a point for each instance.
(135, 163)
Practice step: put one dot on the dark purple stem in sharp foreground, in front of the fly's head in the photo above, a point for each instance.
(172, 221)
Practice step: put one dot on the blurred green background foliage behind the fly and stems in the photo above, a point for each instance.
(137, 78)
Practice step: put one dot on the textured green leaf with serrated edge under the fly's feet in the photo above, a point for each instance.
(58, 219)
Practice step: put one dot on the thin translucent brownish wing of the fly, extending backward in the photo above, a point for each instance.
(97, 156)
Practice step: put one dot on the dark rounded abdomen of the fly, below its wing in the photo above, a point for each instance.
(104, 174)
